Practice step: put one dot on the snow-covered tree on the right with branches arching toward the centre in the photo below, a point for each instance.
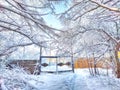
(99, 20)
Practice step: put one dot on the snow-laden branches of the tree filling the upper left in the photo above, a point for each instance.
(22, 24)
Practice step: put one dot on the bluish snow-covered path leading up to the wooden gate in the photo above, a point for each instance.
(64, 82)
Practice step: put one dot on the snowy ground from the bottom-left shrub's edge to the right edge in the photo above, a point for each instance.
(81, 80)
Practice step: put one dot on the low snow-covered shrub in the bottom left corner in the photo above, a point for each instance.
(17, 79)
